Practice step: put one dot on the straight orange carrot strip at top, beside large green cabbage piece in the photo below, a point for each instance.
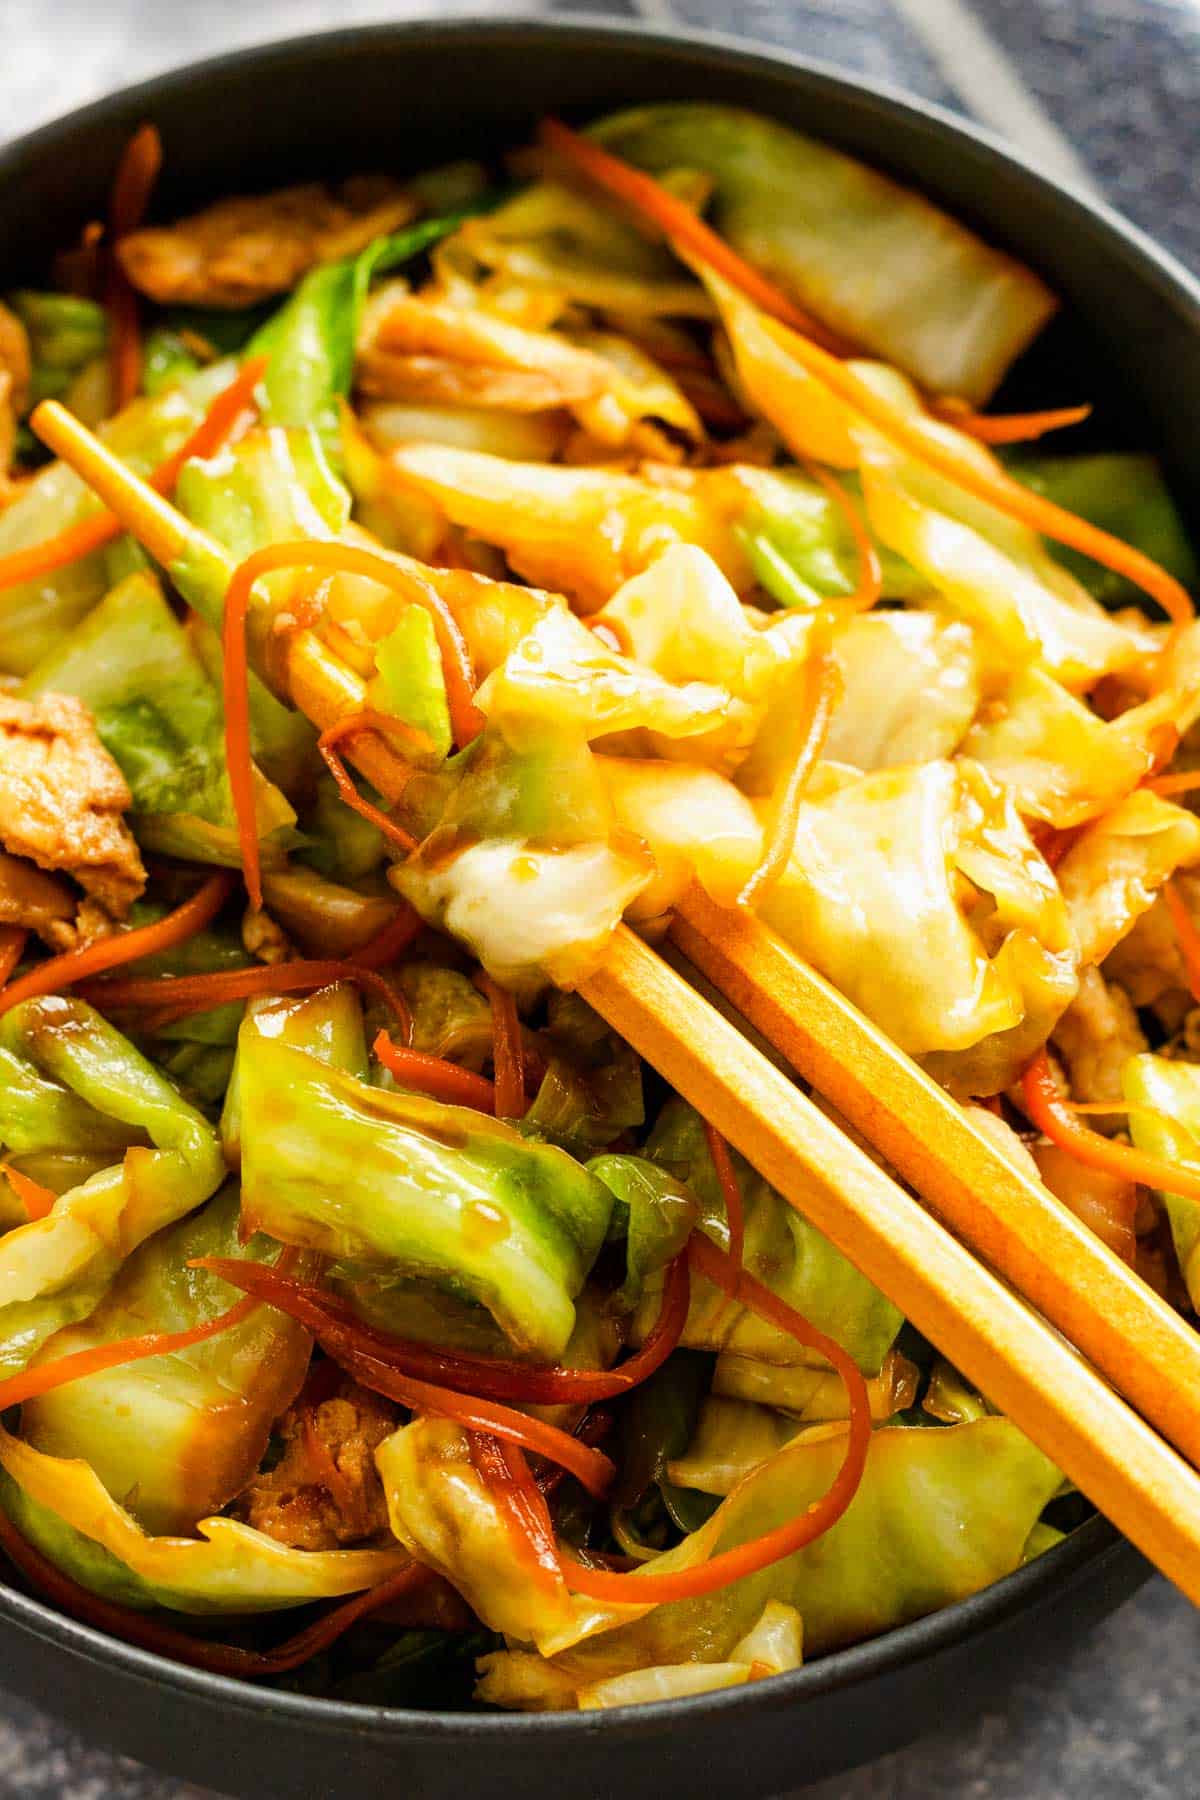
(677, 222)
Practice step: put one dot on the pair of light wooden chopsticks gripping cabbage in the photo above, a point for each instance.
(1115, 1399)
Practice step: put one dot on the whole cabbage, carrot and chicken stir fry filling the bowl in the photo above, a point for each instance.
(496, 555)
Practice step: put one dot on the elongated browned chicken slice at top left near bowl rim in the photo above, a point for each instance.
(253, 246)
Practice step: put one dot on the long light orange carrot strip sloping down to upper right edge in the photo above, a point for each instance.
(990, 485)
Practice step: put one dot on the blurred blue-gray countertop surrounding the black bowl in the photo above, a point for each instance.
(1104, 93)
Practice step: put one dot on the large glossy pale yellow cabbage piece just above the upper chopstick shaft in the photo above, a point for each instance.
(886, 895)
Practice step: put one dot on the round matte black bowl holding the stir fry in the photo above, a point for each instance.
(406, 98)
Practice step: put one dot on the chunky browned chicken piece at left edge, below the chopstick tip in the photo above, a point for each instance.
(62, 798)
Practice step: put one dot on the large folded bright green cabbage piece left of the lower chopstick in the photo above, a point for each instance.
(402, 1185)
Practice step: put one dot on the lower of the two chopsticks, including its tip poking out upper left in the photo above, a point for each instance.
(1025, 1367)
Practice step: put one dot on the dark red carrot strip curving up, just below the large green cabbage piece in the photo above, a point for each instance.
(492, 1378)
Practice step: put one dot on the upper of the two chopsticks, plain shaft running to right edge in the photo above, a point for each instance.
(1145, 1349)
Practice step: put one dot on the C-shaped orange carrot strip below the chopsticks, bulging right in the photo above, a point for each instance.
(785, 1540)
